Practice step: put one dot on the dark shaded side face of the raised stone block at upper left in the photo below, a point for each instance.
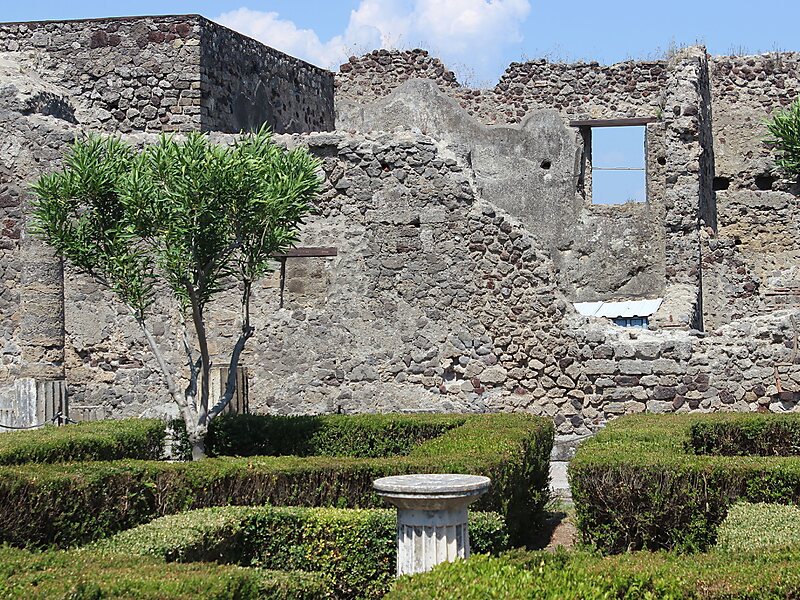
(246, 84)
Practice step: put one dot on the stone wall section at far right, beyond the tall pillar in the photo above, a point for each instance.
(750, 259)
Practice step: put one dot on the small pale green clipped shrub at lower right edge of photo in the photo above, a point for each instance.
(750, 527)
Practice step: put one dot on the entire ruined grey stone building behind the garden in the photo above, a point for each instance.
(457, 261)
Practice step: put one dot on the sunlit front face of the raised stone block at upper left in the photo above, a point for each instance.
(114, 74)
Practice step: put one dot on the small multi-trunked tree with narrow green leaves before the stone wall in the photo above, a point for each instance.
(189, 216)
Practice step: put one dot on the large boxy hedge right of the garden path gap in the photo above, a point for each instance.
(639, 484)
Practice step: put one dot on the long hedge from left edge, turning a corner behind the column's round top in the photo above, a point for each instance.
(43, 504)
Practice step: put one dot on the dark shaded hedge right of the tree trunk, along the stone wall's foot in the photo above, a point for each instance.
(358, 436)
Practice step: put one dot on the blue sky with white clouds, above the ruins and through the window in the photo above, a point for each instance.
(477, 39)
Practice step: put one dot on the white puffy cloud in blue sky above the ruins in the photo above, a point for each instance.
(470, 34)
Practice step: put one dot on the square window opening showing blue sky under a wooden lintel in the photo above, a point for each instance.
(614, 164)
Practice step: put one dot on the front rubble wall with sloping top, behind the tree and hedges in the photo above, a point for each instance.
(437, 301)
